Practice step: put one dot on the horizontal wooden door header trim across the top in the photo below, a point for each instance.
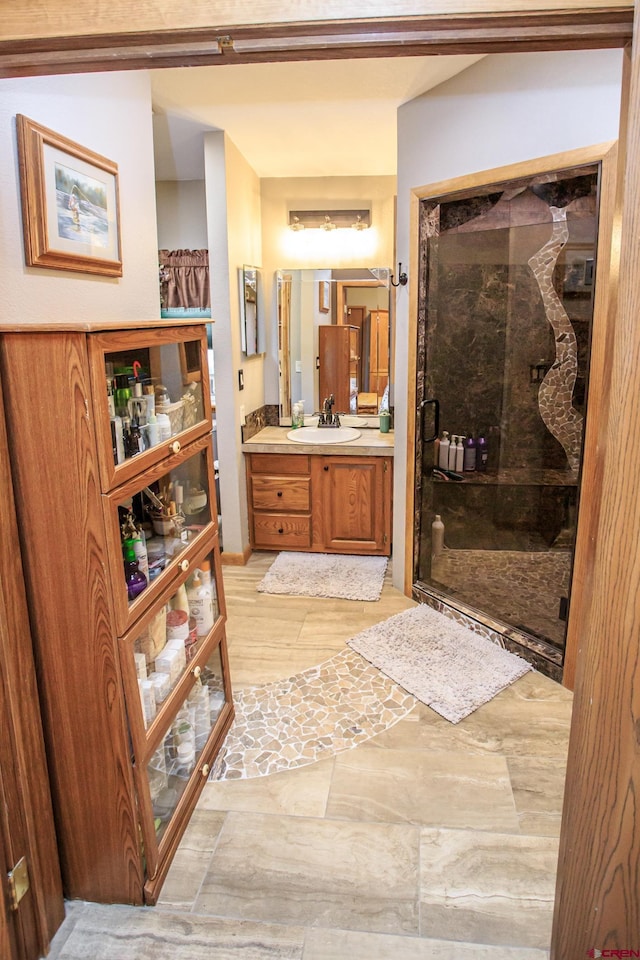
(74, 38)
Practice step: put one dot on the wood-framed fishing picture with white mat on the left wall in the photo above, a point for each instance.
(70, 203)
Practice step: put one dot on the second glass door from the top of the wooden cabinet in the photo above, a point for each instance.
(155, 523)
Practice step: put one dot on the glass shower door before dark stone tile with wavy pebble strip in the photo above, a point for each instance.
(506, 298)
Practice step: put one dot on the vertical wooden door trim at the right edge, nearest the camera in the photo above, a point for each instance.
(597, 902)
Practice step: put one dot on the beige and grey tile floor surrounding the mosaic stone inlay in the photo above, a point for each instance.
(427, 841)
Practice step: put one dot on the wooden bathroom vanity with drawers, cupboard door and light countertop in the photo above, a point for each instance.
(320, 498)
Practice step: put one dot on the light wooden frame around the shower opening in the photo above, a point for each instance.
(606, 154)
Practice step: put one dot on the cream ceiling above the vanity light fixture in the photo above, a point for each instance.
(295, 119)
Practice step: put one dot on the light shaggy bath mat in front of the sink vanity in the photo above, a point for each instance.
(342, 576)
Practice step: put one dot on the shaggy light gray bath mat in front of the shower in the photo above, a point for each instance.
(442, 663)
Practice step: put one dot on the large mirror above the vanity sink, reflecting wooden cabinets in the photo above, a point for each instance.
(354, 365)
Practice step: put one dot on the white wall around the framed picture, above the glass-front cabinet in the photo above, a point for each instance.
(111, 115)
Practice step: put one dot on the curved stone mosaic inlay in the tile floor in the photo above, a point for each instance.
(315, 714)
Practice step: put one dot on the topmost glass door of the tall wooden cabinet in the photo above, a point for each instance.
(151, 395)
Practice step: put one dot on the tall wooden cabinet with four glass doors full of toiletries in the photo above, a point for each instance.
(112, 461)
